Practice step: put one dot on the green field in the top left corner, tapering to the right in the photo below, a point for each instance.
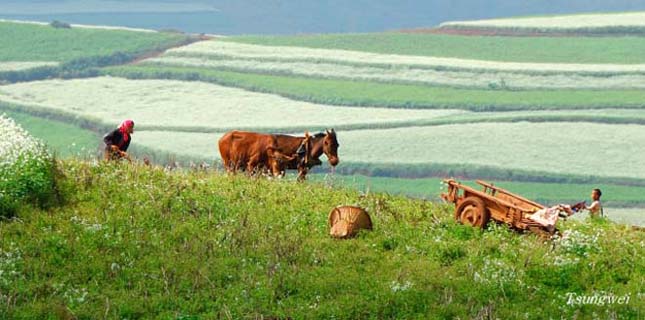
(30, 42)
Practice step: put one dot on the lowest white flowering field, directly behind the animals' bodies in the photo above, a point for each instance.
(559, 148)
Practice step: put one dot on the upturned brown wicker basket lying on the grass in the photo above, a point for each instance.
(346, 221)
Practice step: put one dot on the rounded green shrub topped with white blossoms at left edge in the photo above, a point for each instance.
(27, 170)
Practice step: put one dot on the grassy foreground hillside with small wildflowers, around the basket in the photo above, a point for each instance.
(139, 242)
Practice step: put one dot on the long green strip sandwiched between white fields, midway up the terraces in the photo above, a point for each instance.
(353, 93)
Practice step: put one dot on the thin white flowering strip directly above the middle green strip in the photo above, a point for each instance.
(409, 74)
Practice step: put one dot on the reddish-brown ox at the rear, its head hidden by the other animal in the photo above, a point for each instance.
(250, 151)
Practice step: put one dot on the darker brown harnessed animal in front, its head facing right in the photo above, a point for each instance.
(314, 146)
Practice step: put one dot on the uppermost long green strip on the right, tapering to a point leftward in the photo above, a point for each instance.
(620, 50)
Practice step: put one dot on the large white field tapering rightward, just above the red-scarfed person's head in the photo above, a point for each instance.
(195, 106)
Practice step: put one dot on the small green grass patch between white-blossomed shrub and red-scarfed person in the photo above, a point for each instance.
(66, 140)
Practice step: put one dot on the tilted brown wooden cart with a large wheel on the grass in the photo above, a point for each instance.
(477, 208)
